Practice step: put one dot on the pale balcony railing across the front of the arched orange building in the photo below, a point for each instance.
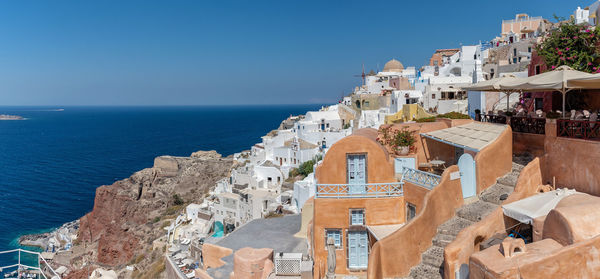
(372, 190)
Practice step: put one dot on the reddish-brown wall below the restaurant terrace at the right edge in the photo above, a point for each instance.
(574, 162)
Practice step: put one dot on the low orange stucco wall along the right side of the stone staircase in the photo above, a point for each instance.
(467, 242)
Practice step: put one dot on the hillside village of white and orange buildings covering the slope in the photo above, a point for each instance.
(466, 167)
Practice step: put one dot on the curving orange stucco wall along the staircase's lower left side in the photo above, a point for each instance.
(394, 255)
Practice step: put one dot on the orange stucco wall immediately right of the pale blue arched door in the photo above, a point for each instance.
(494, 160)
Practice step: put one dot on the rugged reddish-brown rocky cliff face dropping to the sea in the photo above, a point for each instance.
(128, 215)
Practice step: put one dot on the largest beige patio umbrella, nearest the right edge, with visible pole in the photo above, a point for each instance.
(557, 80)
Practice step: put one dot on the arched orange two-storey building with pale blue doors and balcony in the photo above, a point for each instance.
(357, 196)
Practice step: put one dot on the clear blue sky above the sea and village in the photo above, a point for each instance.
(227, 52)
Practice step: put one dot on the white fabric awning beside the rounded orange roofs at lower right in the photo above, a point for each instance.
(527, 209)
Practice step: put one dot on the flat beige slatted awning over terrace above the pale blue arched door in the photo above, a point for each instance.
(473, 136)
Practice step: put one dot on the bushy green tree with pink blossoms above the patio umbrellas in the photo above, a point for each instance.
(574, 45)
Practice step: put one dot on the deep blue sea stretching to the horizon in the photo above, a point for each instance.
(52, 162)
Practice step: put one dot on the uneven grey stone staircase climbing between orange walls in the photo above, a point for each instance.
(473, 211)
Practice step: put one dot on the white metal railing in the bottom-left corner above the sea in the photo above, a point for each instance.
(41, 269)
